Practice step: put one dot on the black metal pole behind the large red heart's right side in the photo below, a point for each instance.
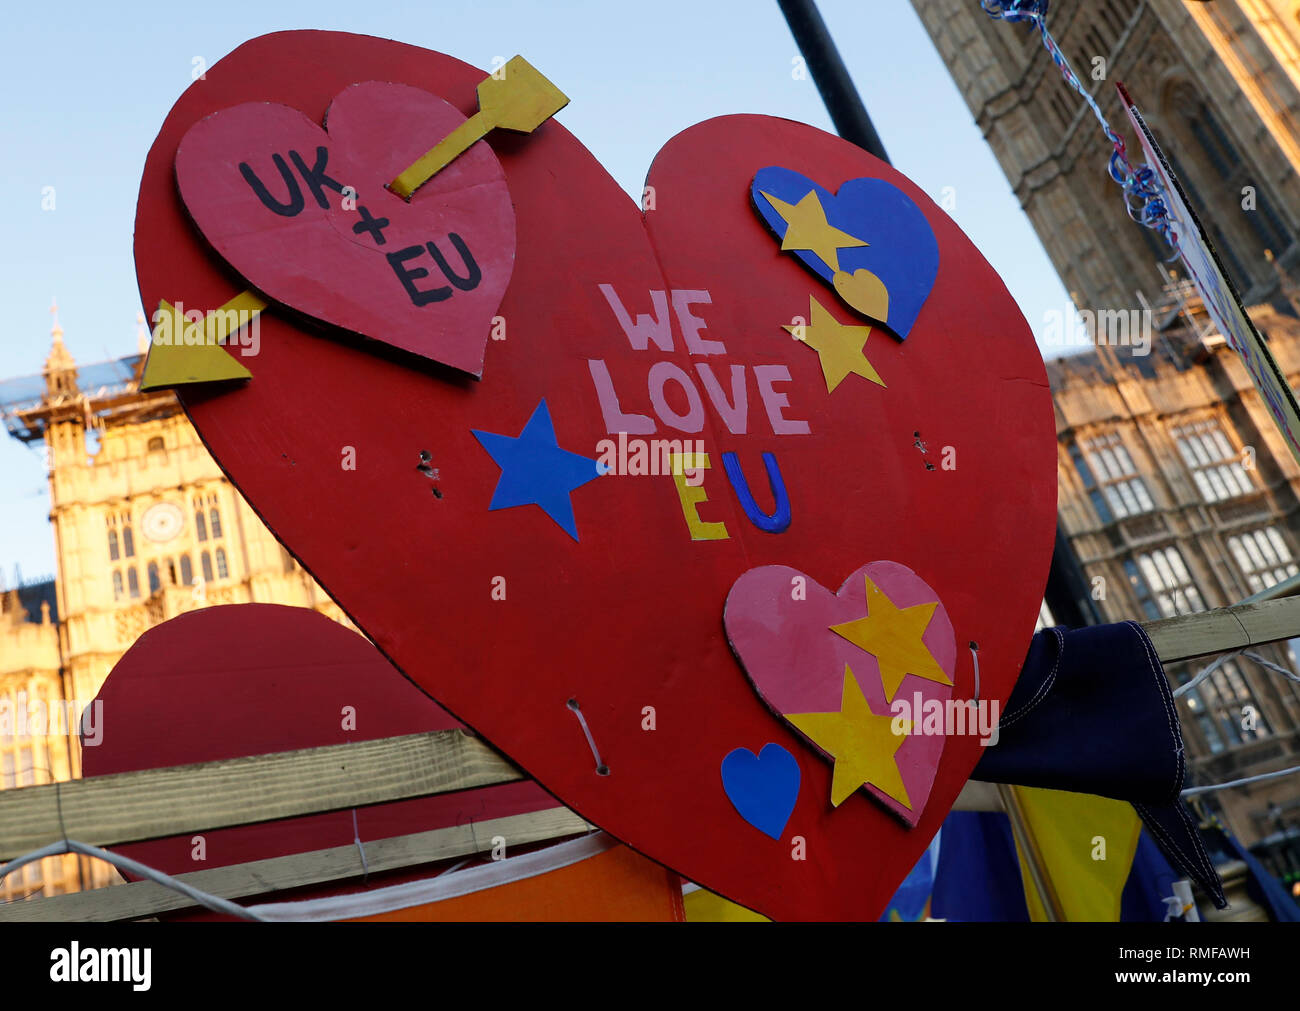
(1068, 592)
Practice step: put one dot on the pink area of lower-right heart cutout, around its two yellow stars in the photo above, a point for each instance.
(779, 623)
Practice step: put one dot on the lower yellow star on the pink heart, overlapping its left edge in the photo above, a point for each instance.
(861, 745)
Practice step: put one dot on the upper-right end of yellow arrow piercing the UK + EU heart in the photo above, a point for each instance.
(515, 98)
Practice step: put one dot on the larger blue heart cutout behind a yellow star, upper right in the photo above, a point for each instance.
(903, 251)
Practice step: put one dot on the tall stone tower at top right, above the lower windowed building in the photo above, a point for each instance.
(1220, 86)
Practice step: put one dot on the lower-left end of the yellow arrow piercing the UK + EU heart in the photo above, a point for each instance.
(184, 353)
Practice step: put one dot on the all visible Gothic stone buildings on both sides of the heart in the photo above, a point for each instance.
(1176, 492)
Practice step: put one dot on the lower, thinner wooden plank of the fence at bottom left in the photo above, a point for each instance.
(261, 878)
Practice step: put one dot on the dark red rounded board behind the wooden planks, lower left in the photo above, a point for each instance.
(241, 680)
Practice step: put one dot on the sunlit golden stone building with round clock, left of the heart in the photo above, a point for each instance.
(145, 527)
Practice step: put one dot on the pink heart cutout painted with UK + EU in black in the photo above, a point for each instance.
(254, 181)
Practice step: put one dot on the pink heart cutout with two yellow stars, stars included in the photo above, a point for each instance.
(855, 672)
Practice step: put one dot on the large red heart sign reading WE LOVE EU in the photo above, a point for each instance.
(673, 402)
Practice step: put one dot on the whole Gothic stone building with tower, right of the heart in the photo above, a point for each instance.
(1176, 491)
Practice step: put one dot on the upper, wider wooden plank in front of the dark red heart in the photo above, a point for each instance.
(153, 804)
